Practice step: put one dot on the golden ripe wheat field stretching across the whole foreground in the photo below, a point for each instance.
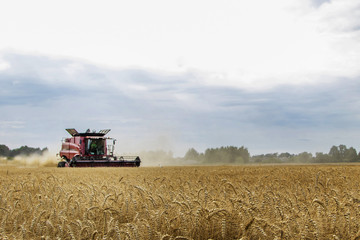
(224, 202)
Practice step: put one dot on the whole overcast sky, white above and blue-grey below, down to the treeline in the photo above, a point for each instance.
(273, 76)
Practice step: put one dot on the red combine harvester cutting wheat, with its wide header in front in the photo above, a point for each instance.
(92, 149)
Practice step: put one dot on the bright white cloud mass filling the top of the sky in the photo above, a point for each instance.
(249, 44)
